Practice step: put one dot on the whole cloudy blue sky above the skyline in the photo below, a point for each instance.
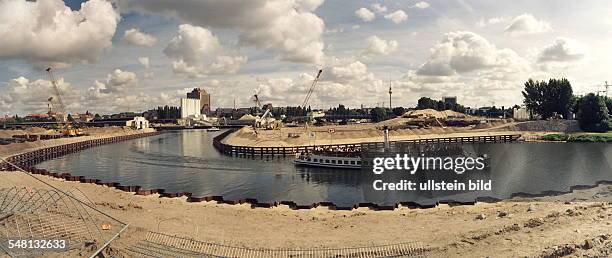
(133, 55)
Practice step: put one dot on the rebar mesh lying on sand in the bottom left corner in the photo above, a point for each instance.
(32, 209)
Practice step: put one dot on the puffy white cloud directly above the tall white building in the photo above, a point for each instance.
(196, 52)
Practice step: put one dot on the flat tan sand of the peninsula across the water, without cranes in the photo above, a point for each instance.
(358, 133)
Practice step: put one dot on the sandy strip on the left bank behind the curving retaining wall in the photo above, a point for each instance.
(93, 133)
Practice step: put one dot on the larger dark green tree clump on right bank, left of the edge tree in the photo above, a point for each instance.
(548, 98)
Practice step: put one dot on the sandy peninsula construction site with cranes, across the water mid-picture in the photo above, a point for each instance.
(318, 128)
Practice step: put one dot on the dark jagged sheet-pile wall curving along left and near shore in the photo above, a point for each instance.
(28, 160)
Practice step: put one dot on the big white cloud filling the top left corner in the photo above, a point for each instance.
(49, 33)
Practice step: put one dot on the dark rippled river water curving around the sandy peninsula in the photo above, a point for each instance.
(185, 161)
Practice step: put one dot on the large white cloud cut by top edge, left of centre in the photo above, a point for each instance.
(287, 28)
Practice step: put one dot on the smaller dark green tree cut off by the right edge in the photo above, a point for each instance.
(593, 114)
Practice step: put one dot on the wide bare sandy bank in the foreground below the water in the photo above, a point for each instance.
(579, 223)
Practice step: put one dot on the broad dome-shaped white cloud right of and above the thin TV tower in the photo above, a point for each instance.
(464, 52)
